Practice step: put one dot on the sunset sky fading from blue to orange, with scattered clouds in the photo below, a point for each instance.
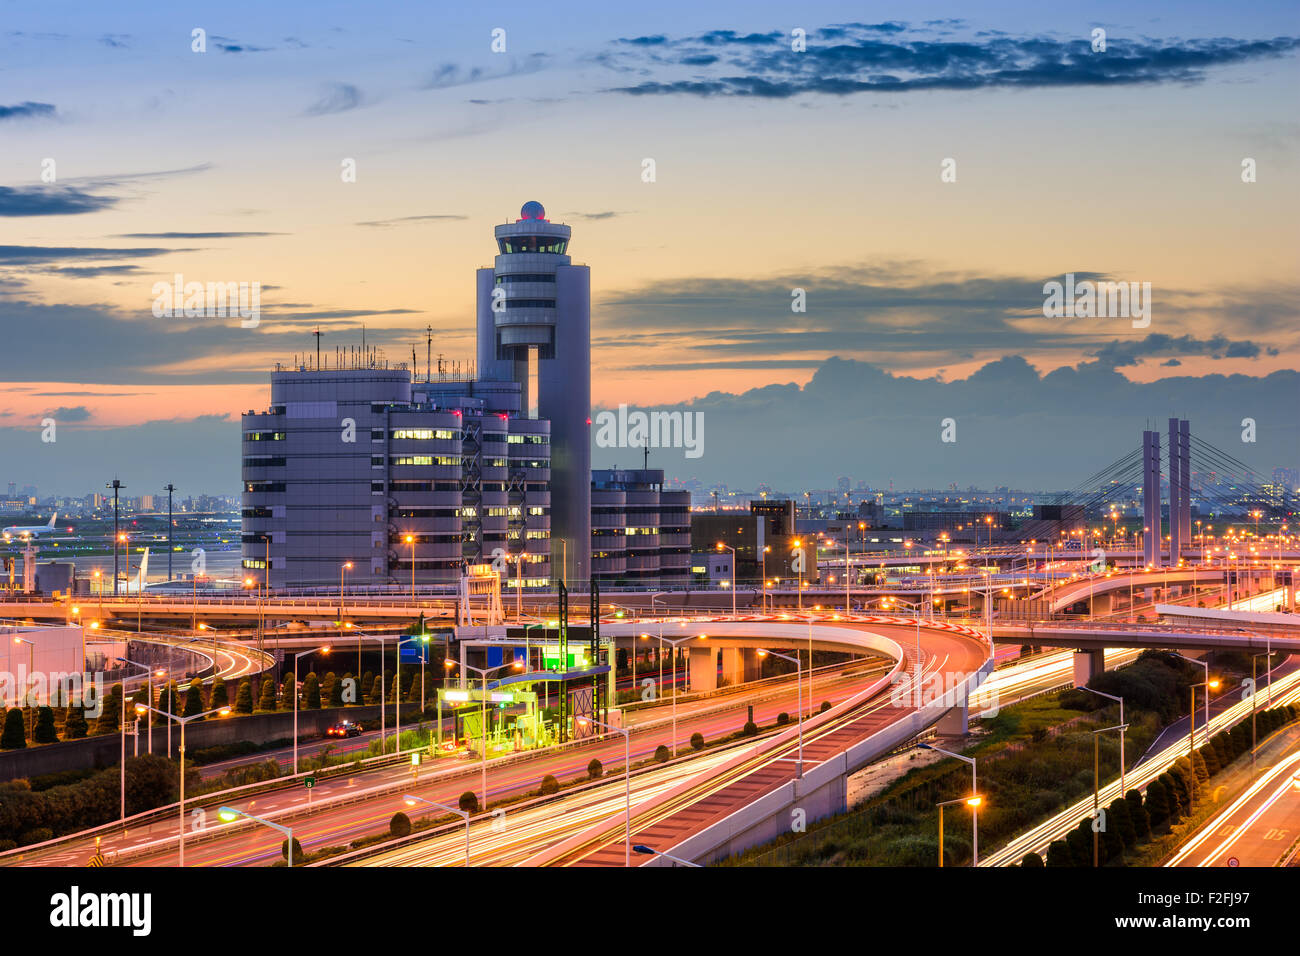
(129, 158)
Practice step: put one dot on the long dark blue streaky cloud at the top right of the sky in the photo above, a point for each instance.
(895, 58)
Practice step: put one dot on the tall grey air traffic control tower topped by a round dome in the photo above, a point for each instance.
(535, 328)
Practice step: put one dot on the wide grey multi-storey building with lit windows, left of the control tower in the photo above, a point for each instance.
(363, 466)
